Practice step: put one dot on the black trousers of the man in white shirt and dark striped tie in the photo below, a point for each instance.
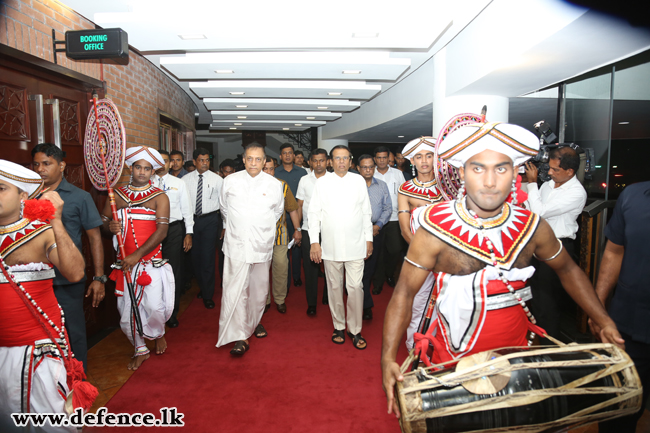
(204, 252)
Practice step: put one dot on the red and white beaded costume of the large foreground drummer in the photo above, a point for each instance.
(476, 312)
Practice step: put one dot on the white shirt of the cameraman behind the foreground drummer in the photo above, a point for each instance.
(560, 206)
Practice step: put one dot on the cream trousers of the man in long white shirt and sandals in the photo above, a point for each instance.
(354, 284)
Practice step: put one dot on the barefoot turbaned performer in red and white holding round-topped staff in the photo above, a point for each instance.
(143, 212)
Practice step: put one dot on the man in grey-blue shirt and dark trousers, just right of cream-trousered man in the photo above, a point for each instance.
(381, 210)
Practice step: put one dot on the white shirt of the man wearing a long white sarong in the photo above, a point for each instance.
(250, 208)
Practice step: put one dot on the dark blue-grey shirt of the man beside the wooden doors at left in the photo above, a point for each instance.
(79, 211)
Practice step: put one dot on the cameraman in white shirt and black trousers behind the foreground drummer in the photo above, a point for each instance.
(559, 201)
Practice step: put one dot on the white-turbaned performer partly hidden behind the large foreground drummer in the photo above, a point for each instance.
(414, 196)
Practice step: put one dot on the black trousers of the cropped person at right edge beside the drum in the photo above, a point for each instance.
(640, 354)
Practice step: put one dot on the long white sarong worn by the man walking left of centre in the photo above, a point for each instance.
(245, 288)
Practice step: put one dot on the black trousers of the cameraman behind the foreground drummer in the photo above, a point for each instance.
(549, 295)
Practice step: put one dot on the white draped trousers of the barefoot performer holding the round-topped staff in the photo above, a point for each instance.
(155, 304)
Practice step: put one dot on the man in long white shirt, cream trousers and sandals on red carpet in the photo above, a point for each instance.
(340, 211)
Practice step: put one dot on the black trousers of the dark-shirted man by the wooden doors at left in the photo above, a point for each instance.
(71, 299)
